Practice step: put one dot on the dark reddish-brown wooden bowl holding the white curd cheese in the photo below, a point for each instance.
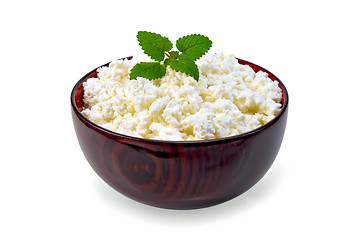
(179, 174)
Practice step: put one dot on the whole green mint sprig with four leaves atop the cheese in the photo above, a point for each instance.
(190, 48)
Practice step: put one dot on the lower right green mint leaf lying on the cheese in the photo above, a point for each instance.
(184, 64)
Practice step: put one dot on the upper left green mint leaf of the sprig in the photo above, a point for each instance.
(154, 44)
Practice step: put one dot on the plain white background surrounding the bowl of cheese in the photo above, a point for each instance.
(49, 191)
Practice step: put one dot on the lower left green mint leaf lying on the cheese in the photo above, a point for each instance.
(149, 70)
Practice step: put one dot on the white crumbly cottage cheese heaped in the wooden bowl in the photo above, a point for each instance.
(228, 99)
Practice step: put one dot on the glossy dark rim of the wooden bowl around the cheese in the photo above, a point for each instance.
(244, 135)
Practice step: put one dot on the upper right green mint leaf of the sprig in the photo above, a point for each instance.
(194, 45)
